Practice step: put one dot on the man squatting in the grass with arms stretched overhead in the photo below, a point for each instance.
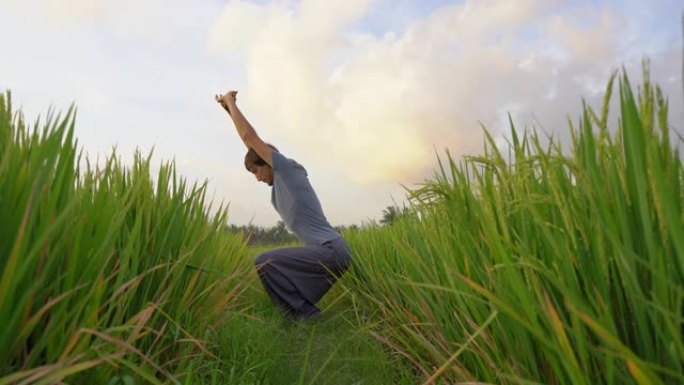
(295, 277)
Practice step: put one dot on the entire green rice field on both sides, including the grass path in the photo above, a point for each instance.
(541, 264)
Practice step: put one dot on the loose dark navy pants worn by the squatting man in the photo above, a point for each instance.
(297, 277)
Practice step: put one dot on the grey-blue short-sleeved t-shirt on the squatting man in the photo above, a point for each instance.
(296, 202)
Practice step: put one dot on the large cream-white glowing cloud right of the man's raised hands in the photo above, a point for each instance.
(383, 105)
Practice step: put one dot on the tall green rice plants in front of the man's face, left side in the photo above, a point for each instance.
(105, 272)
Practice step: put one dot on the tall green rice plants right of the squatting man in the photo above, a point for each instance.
(542, 266)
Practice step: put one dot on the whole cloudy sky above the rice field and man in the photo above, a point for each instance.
(365, 94)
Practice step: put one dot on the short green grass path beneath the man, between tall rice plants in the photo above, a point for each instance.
(259, 346)
